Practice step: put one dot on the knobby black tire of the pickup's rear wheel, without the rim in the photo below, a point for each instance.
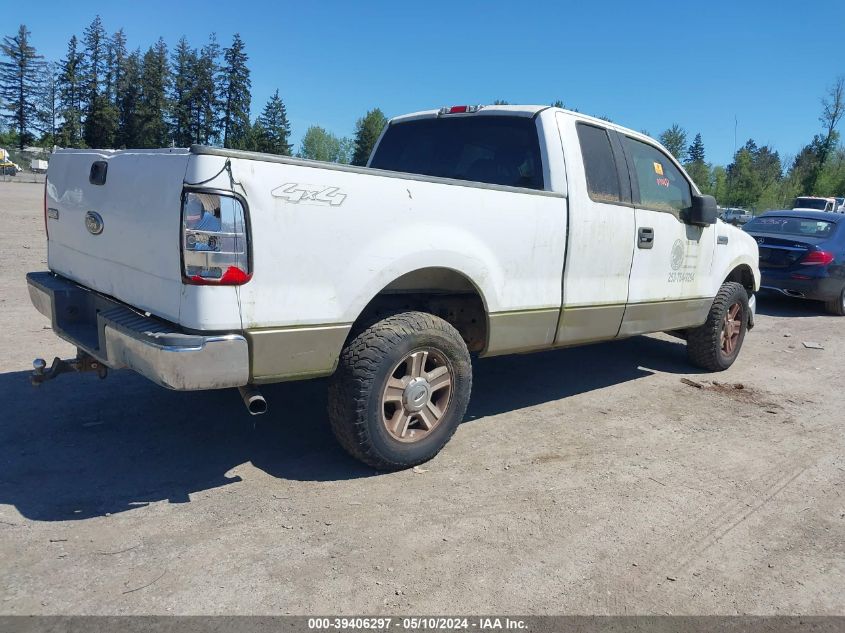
(355, 405)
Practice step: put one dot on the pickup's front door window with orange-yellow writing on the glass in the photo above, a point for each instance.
(662, 186)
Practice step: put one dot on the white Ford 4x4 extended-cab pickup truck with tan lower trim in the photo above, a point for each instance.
(473, 231)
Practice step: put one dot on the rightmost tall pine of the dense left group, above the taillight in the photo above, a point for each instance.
(235, 94)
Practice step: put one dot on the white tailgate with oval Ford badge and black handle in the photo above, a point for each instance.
(120, 237)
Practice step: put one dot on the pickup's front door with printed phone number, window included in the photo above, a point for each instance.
(670, 285)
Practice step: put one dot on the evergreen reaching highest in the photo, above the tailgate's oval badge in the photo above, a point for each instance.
(100, 115)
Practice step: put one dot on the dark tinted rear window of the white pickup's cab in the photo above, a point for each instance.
(493, 149)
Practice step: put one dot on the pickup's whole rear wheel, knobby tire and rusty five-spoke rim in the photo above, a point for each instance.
(400, 390)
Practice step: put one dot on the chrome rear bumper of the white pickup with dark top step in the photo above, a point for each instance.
(120, 337)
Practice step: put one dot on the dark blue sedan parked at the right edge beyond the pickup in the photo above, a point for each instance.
(802, 254)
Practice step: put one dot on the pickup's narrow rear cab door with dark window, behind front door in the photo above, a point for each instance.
(600, 241)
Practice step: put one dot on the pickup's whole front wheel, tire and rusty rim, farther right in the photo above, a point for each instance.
(716, 344)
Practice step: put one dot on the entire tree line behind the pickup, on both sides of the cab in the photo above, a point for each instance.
(101, 94)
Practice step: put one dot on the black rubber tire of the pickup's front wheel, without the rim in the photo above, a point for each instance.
(704, 343)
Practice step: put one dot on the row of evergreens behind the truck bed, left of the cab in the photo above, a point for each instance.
(102, 95)
